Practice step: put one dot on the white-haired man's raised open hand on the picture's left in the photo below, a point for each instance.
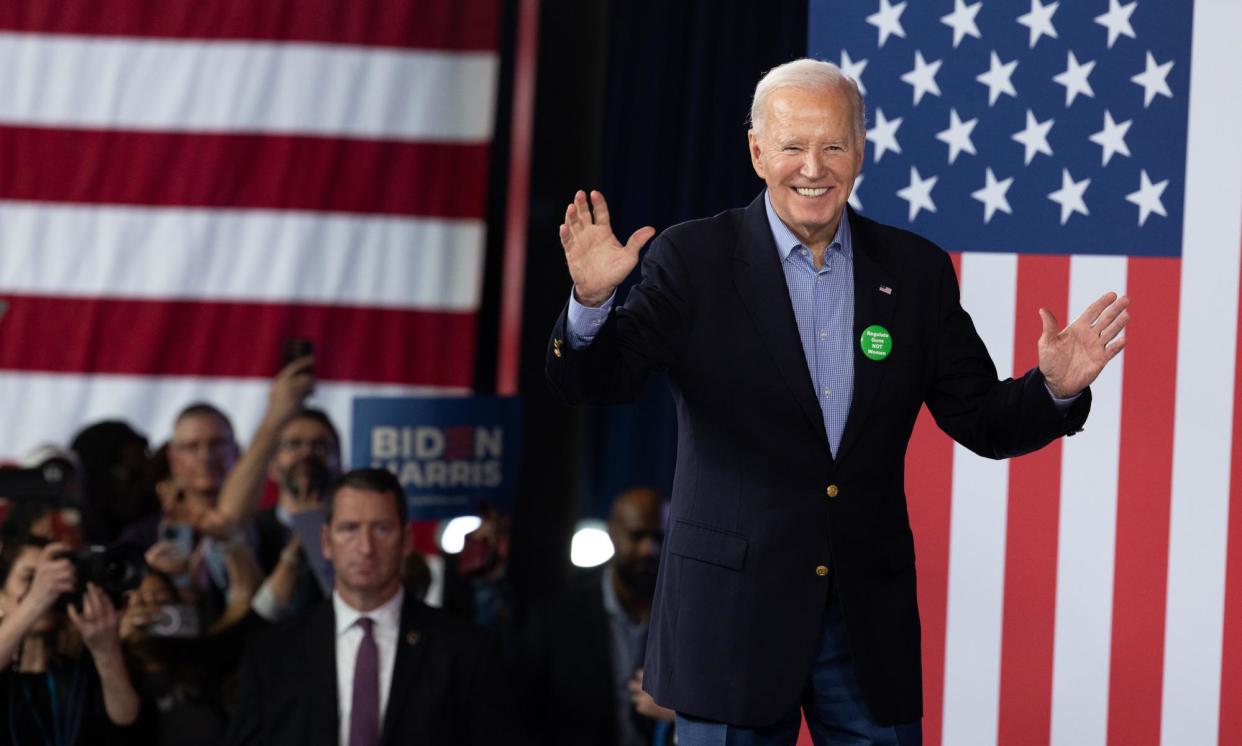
(598, 261)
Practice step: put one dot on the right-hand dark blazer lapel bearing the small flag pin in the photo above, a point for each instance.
(875, 300)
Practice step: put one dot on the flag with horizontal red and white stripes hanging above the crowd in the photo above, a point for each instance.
(187, 184)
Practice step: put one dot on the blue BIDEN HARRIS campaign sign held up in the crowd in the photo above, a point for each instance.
(450, 454)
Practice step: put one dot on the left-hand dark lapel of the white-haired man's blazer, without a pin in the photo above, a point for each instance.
(761, 281)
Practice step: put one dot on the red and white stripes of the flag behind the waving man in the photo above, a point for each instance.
(1092, 593)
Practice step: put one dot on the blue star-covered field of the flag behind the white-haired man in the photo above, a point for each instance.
(1020, 126)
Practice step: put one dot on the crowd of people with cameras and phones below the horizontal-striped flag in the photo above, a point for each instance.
(155, 596)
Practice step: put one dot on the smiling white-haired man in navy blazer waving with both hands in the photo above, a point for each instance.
(800, 341)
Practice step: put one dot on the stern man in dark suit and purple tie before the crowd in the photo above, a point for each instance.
(373, 666)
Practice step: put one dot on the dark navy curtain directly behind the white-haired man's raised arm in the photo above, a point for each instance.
(679, 84)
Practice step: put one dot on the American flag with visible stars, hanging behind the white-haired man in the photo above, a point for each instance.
(1091, 593)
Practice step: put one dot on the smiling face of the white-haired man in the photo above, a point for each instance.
(809, 152)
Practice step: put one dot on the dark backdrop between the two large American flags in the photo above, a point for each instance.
(646, 101)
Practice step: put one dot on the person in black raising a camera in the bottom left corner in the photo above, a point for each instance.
(52, 693)
